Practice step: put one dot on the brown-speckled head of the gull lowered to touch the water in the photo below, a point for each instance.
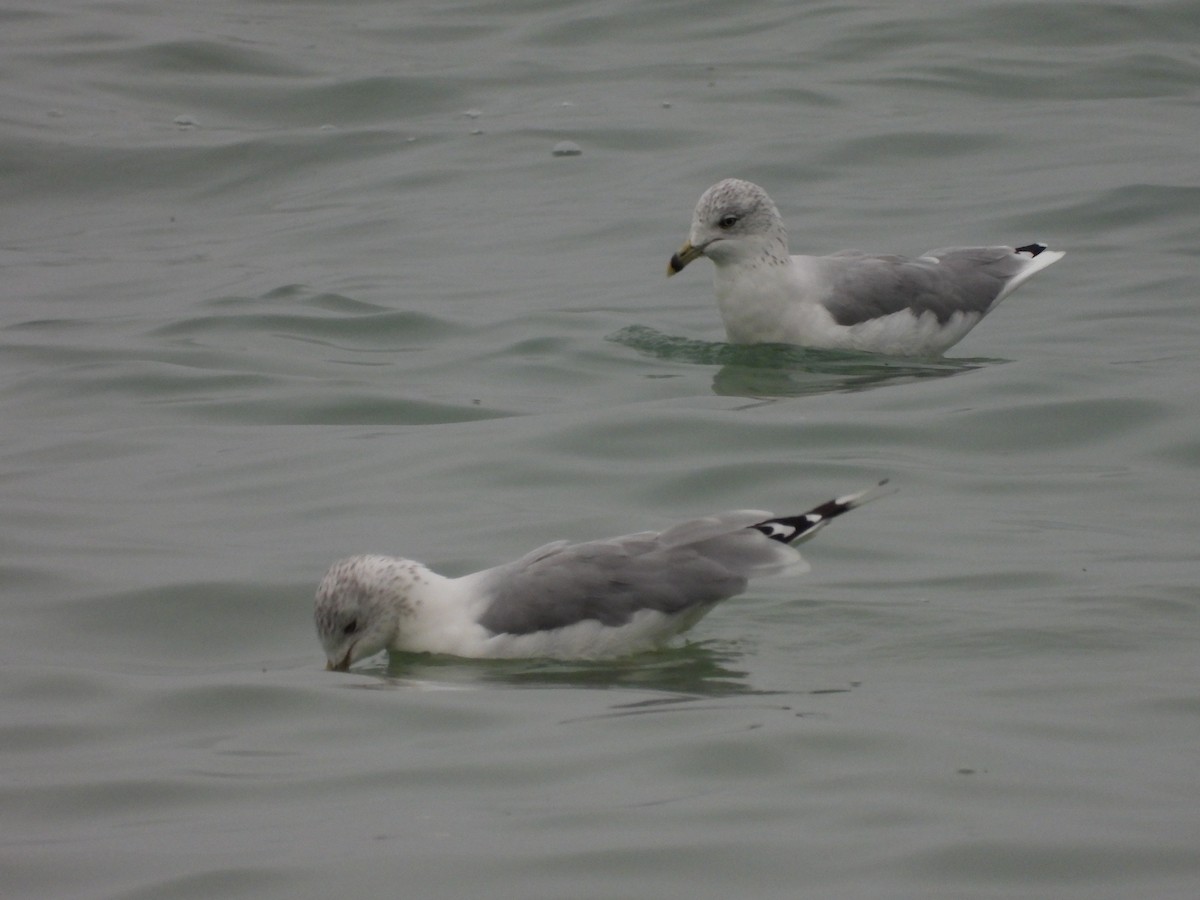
(359, 605)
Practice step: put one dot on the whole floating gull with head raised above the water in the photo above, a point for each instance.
(905, 307)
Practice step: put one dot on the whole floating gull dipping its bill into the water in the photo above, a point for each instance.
(565, 601)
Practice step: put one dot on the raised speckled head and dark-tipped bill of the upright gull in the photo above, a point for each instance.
(735, 223)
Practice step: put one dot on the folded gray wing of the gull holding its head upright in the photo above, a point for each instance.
(944, 281)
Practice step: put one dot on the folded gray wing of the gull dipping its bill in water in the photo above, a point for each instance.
(610, 581)
